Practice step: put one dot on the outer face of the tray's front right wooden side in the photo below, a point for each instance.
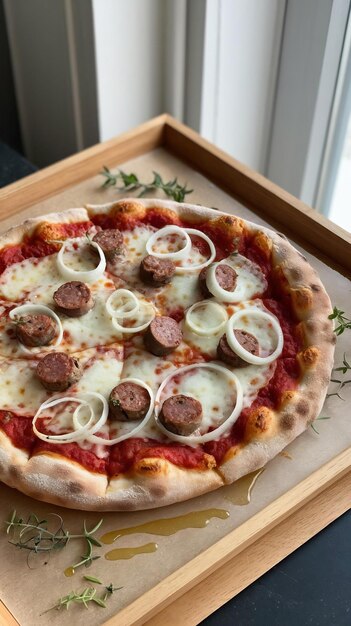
(257, 559)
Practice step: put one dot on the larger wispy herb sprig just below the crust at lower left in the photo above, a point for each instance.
(35, 535)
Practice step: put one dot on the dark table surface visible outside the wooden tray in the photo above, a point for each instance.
(311, 587)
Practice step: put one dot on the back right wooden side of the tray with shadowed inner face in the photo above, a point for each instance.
(259, 193)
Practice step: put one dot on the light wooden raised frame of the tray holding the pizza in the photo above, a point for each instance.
(269, 536)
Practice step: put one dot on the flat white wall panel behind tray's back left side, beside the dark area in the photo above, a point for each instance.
(129, 62)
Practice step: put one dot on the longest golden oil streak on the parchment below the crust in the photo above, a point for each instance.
(168, 526)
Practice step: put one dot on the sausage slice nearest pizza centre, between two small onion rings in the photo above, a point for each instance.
(162, 336)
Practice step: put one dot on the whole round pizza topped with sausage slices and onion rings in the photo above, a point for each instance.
(152, 351)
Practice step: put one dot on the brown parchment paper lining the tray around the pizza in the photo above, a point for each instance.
(29, 592)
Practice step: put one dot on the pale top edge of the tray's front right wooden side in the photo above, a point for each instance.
(199, 568)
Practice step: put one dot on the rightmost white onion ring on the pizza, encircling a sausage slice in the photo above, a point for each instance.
(267, 331)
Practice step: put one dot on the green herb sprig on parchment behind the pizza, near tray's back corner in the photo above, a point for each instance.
(131, 182)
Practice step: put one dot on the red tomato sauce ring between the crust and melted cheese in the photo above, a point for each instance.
(125, 454)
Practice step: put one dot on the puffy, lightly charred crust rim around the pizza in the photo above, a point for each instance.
(156, 482)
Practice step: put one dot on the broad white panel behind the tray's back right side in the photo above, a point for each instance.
(241, 43)
